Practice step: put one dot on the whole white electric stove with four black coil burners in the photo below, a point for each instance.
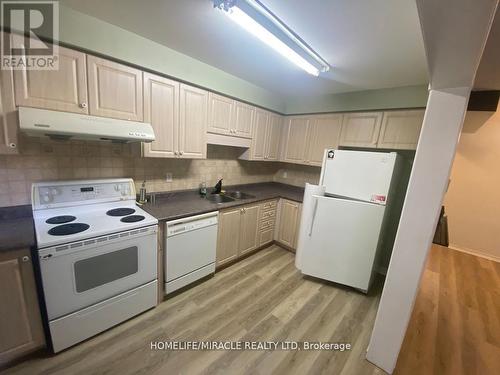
(97, 253)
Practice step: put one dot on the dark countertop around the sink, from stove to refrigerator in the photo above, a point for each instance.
(180, 204)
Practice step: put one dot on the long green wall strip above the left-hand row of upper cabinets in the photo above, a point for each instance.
(90, 33)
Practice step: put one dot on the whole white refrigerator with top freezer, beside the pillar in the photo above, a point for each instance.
(345, 218)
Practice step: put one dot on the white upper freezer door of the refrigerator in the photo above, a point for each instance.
(359, 175)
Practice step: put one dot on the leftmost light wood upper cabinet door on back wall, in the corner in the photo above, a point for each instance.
(295, 138)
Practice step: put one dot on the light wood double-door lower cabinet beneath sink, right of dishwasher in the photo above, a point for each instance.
(238, 232)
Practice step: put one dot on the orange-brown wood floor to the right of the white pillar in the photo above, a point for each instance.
(455, 324)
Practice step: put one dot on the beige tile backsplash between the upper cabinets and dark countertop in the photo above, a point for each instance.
(43, 159)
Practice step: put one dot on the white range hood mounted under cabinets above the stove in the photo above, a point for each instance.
(65, 125)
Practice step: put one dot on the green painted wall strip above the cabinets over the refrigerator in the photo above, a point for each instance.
(400, 97)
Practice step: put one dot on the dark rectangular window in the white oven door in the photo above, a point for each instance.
(103, 269)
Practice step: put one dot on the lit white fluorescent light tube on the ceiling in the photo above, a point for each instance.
(253, 27)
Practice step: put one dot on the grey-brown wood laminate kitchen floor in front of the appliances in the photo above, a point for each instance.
(260, 298)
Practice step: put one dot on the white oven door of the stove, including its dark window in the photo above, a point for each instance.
(87, 274)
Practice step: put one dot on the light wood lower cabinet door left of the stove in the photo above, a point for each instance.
(20, 320)
